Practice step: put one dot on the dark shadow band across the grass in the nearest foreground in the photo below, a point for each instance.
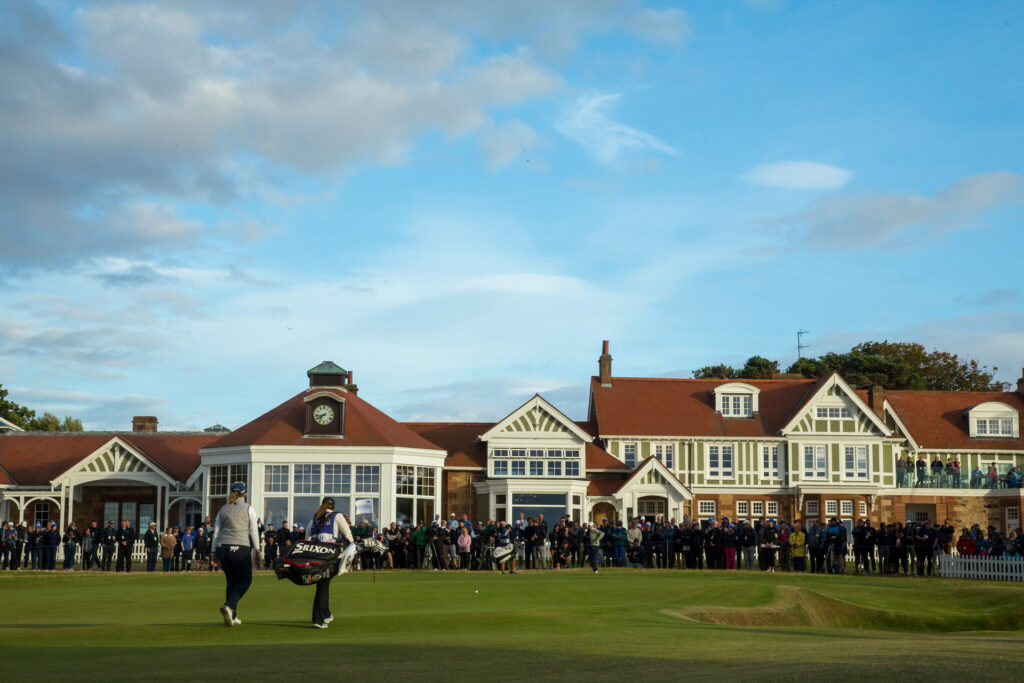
(337, 657)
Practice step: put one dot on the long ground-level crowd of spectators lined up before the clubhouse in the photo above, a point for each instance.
(765, 545)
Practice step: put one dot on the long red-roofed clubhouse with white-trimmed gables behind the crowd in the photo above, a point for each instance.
(789, 448)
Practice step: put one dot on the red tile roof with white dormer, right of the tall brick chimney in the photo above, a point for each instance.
(684, 408)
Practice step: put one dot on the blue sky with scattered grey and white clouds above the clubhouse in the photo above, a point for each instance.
(459, 201)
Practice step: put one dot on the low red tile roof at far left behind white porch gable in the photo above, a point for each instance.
(34, 459)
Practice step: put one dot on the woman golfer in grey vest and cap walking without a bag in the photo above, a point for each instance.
(235, 537)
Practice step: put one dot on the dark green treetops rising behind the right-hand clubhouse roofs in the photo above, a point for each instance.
(890, 365)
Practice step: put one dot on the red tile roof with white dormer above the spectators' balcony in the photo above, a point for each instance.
(938, 419)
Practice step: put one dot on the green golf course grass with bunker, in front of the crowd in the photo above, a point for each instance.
(615, 626)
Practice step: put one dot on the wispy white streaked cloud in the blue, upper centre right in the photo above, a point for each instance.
(589, 124)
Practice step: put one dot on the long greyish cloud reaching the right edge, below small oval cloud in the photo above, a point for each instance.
(870, 220)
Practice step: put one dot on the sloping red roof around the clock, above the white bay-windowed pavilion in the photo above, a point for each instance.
(365, 426)
